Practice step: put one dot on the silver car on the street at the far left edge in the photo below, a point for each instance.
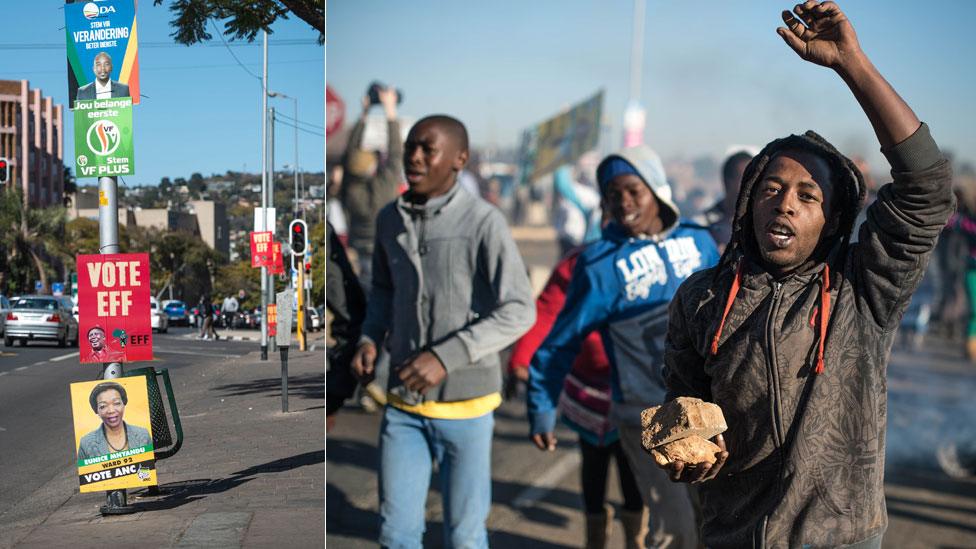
(40, 317)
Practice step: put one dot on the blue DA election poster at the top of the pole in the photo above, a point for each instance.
(103, 52)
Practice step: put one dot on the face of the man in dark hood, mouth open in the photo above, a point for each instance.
(791, 204)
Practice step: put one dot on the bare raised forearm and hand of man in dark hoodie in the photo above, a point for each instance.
(820, 33)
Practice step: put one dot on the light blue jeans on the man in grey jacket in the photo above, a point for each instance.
(409, 445)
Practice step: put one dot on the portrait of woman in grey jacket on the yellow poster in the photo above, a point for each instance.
(108, 400)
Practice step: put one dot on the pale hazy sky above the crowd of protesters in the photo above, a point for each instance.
(713, 74)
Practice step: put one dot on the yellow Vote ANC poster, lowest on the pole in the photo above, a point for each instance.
(113, 434)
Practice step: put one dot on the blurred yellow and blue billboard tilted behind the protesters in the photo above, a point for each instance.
(562, 139)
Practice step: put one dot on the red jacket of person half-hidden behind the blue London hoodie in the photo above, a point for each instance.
(591, 364)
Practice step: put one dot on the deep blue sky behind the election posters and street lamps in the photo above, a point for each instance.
(200, 110)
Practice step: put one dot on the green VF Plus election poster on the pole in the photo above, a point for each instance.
(103, 138)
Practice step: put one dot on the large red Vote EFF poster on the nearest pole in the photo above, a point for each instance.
(113, 308)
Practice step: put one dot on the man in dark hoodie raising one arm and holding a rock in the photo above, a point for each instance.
(791, 332)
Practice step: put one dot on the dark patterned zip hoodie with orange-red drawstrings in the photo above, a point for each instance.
(798, 364)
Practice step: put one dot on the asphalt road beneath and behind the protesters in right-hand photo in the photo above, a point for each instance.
(536, 496)
